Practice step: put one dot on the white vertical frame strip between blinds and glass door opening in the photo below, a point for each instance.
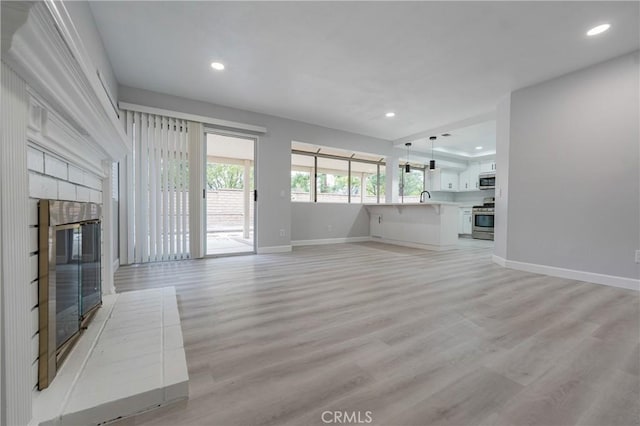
(196, 189)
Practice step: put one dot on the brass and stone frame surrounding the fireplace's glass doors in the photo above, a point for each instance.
(56, 215)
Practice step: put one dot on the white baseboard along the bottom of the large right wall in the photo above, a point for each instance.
(592, 277)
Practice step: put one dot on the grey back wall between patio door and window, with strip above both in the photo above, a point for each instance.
(273, 157)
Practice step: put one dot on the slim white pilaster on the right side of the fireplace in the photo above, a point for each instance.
(107, 228)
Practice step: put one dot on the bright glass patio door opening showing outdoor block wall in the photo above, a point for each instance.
(230, 194)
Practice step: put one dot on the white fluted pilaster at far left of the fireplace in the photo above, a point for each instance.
(16, 380)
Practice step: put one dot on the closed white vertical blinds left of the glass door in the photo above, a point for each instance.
(161, 186)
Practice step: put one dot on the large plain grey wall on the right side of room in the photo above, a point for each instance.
(574, 180)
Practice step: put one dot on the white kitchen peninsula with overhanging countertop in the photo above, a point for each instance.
(430, 225)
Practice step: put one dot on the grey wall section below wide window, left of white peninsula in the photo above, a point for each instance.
(326, 221)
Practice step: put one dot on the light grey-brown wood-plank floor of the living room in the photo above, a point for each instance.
(414, 337)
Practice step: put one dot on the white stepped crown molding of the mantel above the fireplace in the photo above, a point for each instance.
(46, 51)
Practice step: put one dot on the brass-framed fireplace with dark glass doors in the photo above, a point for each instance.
(69, 286)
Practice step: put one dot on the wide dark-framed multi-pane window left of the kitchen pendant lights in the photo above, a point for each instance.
(326, 175)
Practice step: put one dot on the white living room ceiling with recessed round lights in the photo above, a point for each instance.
(344, 64)
